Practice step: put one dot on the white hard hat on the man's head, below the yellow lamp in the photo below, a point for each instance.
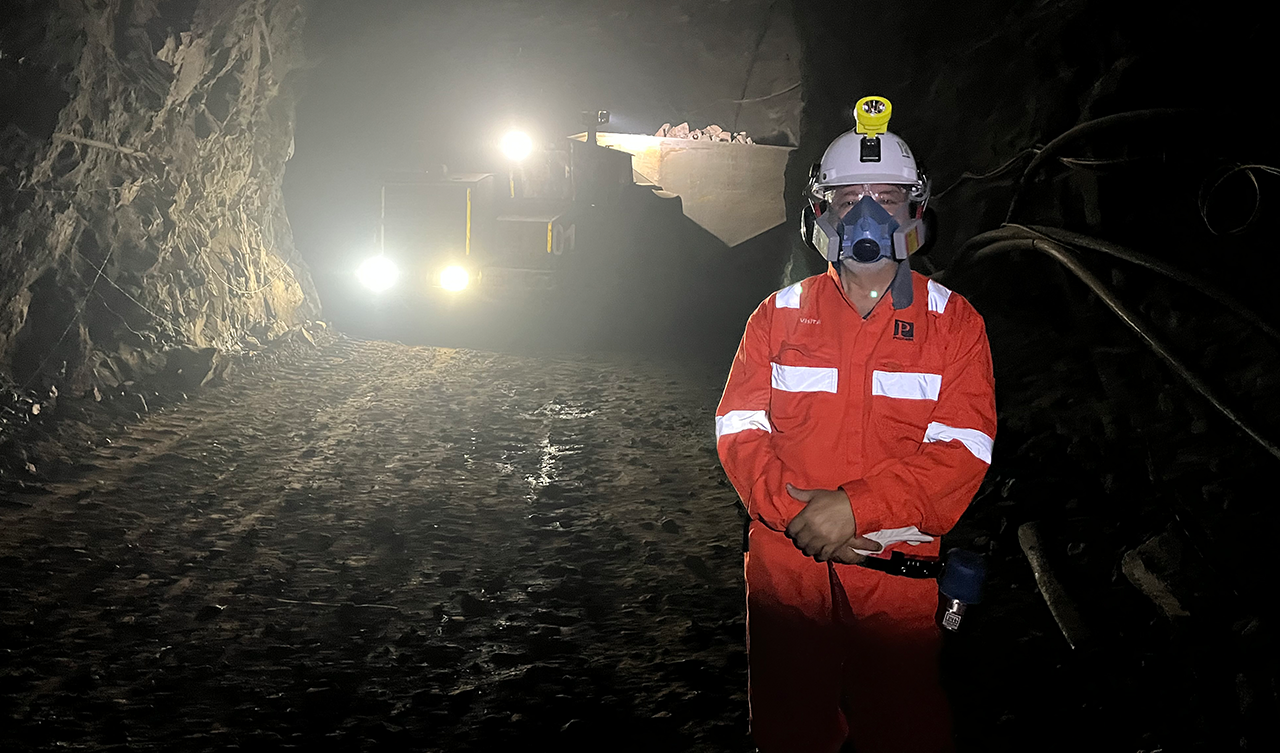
(845, 165)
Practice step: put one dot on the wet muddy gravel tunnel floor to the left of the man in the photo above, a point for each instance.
(386, 545)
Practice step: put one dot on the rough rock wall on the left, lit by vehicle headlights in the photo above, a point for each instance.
(140, 185)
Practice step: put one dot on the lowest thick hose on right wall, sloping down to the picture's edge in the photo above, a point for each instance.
(1008, 240)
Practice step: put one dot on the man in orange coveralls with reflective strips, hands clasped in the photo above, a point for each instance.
(860, 417)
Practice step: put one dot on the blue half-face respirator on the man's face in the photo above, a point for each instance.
(867, 234)
